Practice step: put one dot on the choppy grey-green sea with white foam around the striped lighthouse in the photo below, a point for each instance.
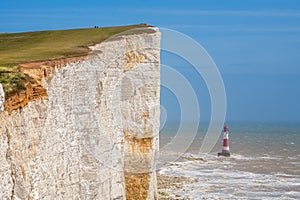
(264, 163)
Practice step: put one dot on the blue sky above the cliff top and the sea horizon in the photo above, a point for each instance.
(255, 44)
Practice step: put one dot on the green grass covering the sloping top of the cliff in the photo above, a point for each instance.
(18, 48)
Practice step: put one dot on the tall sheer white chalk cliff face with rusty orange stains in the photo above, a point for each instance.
(96, 134)
